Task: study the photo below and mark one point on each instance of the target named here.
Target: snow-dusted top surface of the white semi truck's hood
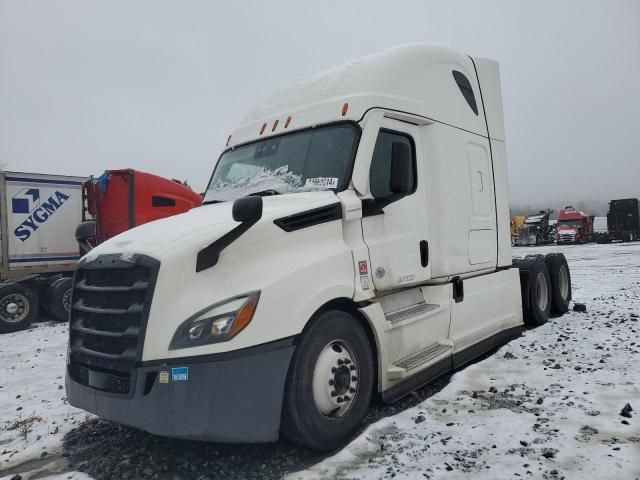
(199, 227)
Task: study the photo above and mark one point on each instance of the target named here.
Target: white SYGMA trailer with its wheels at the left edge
(38, 251)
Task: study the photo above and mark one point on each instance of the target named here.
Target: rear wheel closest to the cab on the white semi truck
(536, 290)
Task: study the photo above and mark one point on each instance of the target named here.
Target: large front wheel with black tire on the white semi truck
(330, 383)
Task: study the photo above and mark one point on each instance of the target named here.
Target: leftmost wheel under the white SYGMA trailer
(18, 307)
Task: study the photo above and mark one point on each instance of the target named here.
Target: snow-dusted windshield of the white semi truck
(310, 160)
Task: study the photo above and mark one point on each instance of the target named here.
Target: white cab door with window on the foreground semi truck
(394, 228)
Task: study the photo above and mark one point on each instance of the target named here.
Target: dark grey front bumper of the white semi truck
(231, 397)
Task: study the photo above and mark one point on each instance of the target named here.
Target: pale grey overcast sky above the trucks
(155, 85)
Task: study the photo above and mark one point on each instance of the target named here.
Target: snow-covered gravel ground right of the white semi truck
(544, 406)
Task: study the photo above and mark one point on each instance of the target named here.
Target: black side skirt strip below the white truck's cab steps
(449, 364)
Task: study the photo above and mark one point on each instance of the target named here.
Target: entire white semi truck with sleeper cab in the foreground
(354, 242)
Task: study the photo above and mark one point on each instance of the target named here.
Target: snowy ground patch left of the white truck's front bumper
(34, 413)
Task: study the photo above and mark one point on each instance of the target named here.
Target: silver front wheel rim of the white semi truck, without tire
(335, 379)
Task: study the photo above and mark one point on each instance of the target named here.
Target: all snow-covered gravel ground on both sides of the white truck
(547, 405)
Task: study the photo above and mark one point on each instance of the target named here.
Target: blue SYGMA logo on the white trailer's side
(28, 201)
